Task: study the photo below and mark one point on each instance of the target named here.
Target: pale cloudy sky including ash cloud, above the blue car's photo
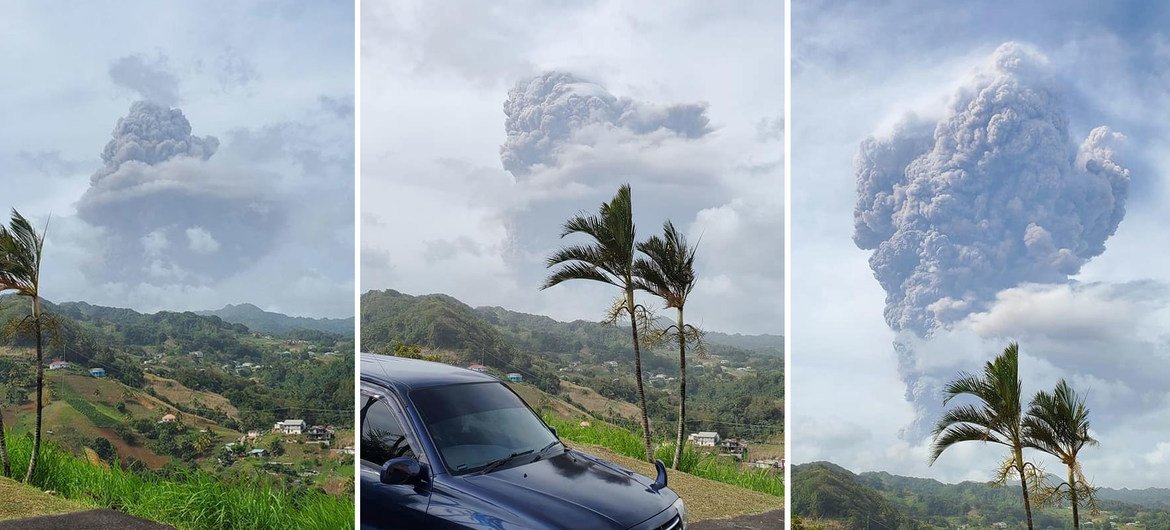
(485, 127)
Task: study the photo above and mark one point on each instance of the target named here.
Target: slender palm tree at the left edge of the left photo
(20, 272)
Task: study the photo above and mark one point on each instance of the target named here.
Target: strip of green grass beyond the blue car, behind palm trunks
(630, 444)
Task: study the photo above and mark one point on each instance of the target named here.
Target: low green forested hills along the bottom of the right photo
(827, 492)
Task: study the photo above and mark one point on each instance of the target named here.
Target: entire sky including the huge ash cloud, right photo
(966, 177)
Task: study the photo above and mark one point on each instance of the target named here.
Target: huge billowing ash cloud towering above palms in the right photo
(993, 196)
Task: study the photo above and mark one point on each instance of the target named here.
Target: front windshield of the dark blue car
(476, 425)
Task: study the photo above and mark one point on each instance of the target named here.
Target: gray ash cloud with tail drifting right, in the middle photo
(545, 114)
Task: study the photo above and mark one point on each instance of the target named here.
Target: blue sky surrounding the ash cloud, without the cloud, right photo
(858, 71)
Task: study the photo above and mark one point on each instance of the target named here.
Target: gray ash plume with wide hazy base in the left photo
(170, 212)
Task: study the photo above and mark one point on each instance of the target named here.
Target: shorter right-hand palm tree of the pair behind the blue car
(670, 274)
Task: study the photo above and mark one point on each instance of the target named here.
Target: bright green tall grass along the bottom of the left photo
(190, 501)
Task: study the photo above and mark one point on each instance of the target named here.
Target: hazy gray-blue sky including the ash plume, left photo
(185, 156)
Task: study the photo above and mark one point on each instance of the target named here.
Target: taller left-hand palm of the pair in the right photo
(996, 419)
